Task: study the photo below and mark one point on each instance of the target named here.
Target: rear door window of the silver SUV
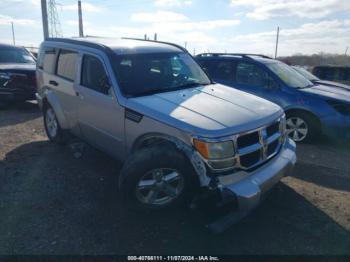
(66, 64)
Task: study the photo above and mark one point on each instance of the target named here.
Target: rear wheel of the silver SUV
(52, 127)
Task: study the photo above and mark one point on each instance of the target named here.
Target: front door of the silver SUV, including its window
(101, 118)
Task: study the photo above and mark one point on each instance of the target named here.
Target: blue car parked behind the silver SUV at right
(311, 109)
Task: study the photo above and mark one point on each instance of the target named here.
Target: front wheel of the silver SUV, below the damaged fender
(162, 166)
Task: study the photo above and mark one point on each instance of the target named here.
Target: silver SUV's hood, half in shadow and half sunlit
(211, 111)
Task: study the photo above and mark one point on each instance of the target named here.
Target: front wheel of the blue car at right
(302, 127)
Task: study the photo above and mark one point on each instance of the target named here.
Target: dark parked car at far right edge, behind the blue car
(339, 74)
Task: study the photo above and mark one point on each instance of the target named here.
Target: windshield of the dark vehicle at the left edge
(16, 55)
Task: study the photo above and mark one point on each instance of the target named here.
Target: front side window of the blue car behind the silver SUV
(252, 75)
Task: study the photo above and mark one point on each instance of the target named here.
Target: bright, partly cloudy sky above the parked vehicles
(307, 26)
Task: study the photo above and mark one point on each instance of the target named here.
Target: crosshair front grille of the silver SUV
(257, 146)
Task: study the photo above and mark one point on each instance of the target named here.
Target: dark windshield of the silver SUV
(145, 74)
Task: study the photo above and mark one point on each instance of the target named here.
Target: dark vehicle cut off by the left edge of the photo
(17, 74)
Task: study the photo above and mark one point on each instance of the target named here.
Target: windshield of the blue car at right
(288, 75)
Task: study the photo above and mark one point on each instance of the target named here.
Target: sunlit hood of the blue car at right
(334, 92)
